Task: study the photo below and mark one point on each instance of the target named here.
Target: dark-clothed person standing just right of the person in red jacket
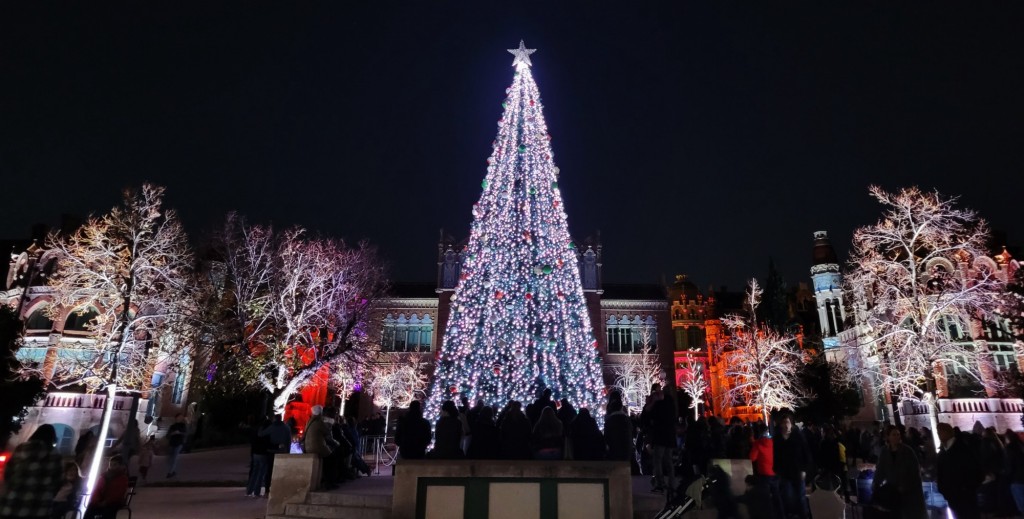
(791, 464)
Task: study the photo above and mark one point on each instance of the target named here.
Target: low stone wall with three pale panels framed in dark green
(482, 489)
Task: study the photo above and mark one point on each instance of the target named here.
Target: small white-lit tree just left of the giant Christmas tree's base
(396, 381)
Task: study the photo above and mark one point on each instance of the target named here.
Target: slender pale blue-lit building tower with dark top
(828, 290)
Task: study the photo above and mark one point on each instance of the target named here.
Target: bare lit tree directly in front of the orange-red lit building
(760, 363)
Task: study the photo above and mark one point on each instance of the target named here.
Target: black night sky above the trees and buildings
(699, 139)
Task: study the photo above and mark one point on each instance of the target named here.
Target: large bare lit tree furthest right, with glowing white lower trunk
(915, 276)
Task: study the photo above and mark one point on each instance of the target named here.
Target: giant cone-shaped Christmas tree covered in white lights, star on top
(519, 321)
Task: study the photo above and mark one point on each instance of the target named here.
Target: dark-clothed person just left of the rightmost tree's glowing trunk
(898, 487)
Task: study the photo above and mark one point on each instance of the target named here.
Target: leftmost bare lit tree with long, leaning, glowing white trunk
(133, 268)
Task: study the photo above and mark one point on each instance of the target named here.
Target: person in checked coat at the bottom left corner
(32, 477)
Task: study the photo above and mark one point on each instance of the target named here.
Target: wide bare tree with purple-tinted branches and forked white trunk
(298, 304)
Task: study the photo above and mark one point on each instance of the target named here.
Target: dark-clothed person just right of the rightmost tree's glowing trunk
(959, 474)
